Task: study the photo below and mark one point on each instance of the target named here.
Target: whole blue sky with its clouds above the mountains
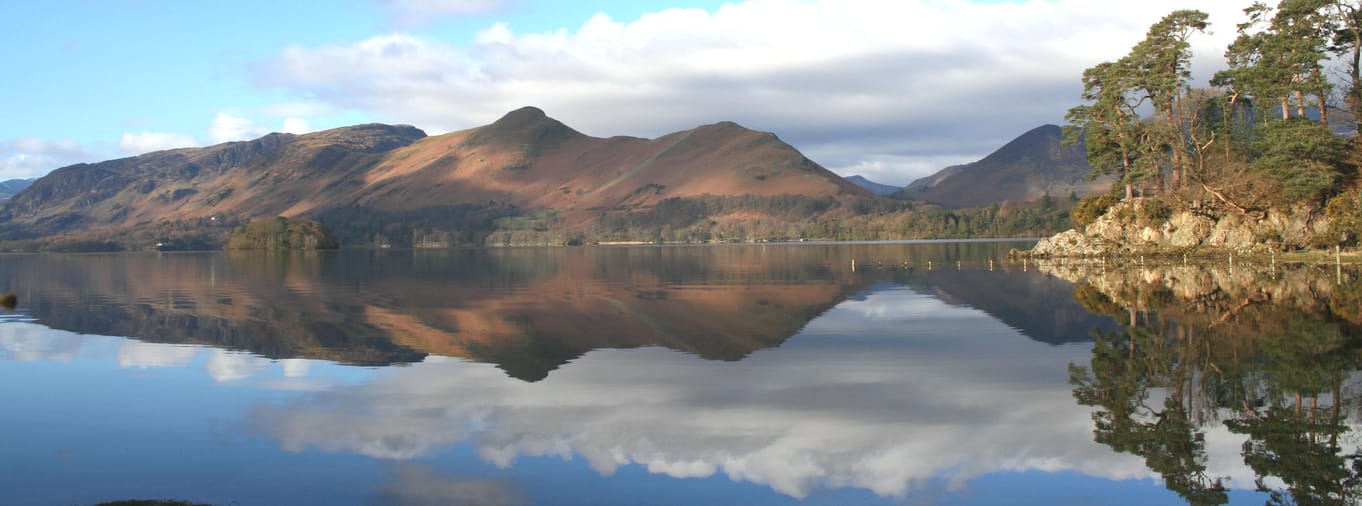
(889, 89)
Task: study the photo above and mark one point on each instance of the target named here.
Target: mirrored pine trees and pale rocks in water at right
(1270, 356)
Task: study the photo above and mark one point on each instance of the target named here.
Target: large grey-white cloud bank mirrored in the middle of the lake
(868, 410)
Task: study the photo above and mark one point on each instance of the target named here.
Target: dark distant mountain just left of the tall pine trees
(1025, 169)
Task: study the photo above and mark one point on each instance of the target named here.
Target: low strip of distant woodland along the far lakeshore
(713, 220)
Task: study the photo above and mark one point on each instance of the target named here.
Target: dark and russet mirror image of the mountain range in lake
(526, 311)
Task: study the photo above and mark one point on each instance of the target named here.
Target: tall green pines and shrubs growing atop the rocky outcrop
(1261, 144)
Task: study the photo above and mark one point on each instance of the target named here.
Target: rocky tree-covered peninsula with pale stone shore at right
(1263, 163)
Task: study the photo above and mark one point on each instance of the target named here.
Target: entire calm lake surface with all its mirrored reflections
(932, 373)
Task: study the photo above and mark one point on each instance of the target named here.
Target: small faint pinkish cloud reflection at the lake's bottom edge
(420, 486)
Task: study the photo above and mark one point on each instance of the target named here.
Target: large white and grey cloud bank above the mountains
(910, 81)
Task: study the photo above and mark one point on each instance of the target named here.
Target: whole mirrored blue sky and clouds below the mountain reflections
(894, 395)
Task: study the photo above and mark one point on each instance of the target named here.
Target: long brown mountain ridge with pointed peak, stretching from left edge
(396, 184)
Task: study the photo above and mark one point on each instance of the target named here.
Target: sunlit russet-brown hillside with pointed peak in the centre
(536, 163)
